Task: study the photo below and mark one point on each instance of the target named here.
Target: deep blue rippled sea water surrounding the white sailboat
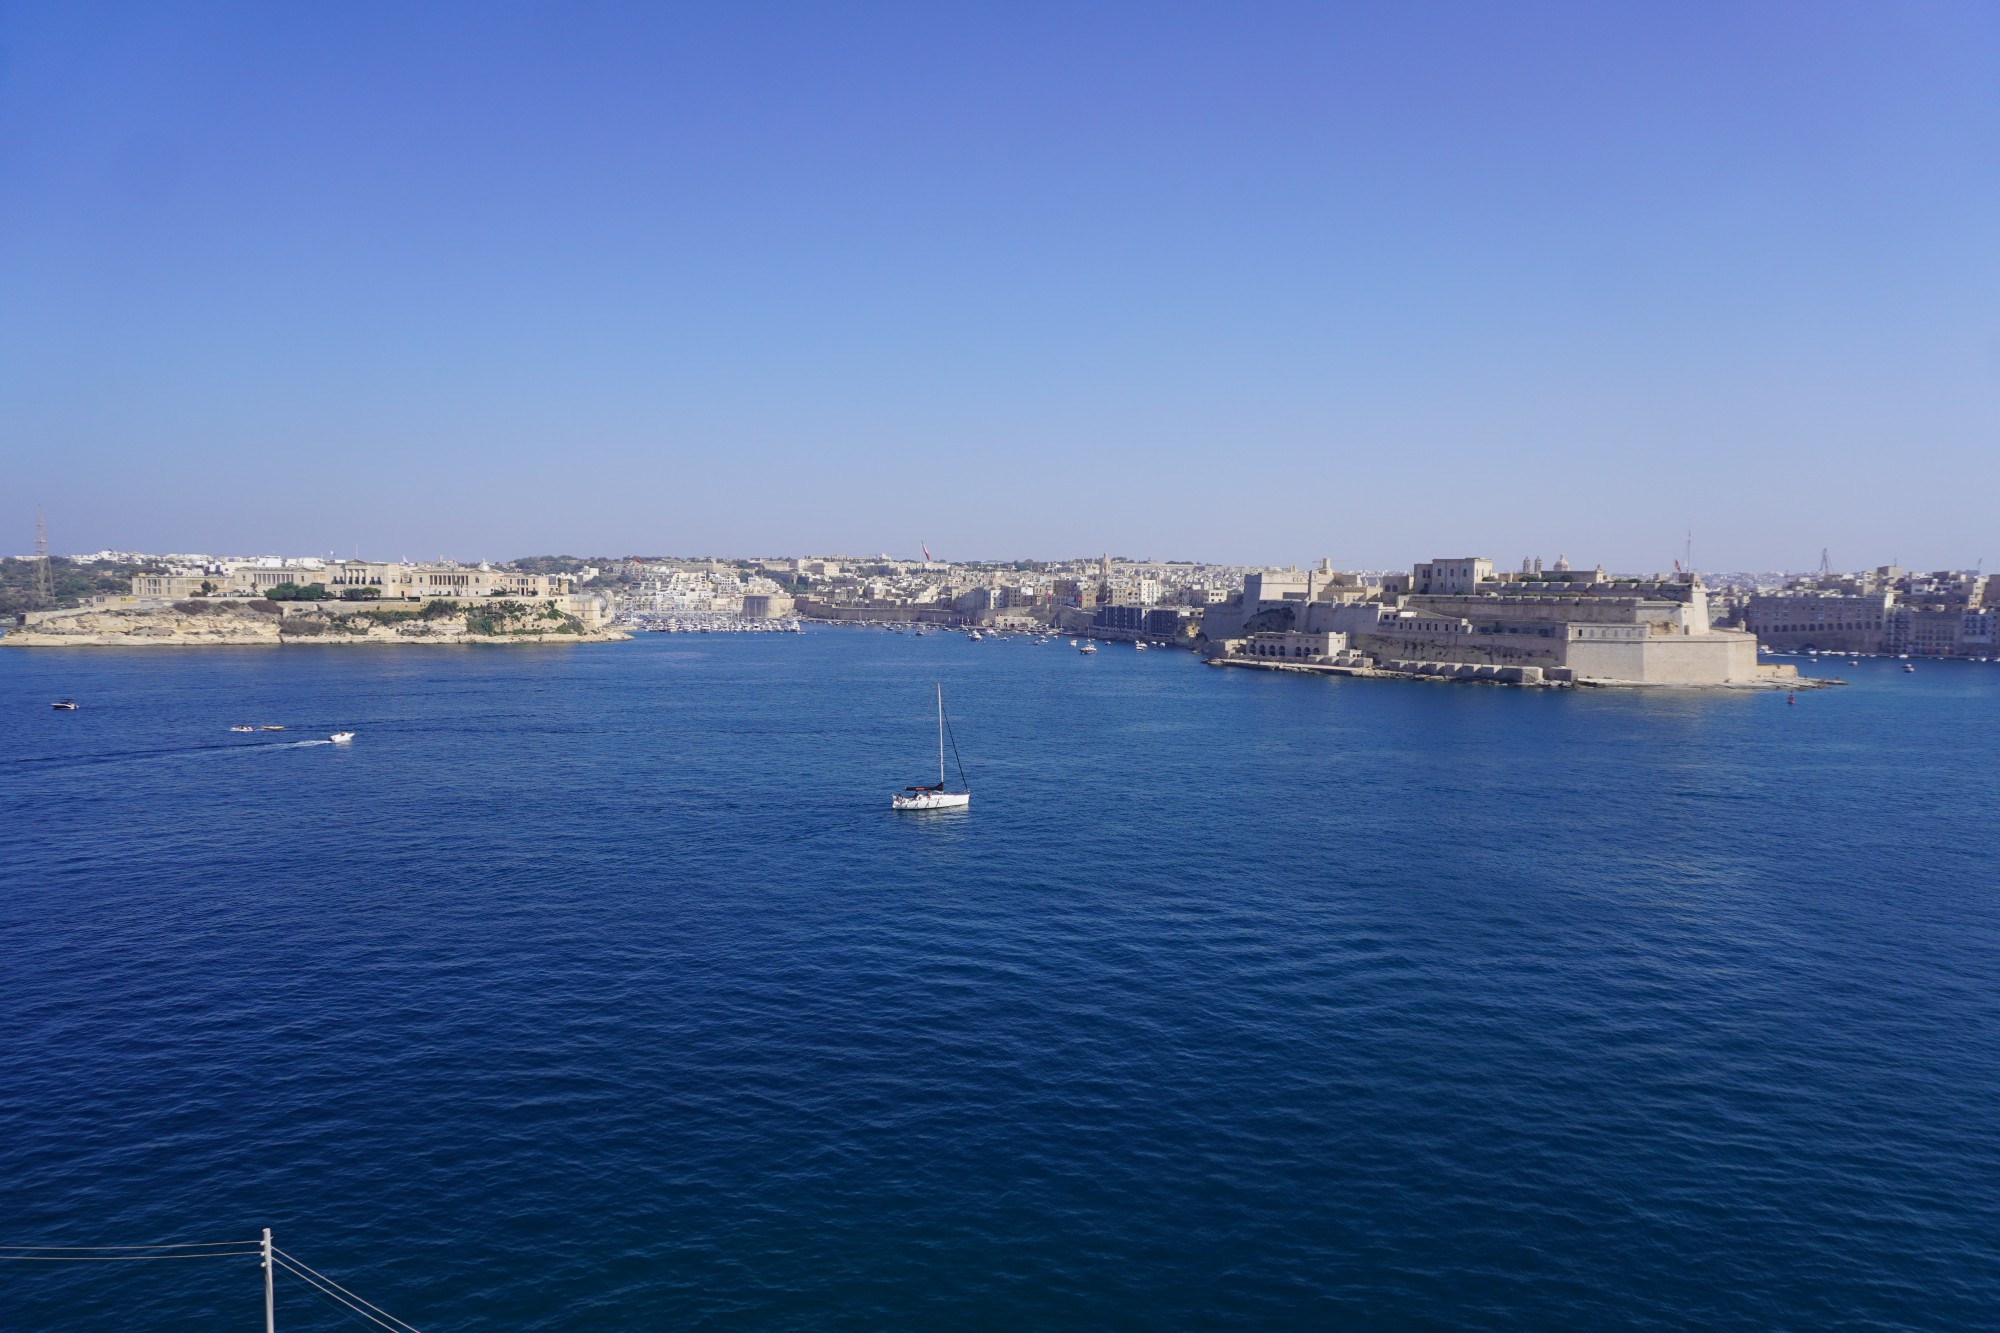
(599, 988)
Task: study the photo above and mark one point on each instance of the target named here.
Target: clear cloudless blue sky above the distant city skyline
(1217, 281)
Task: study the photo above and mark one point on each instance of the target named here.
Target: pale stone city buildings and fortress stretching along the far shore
(1459, 617)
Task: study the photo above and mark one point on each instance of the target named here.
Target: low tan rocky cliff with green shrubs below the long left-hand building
(255, 623)
